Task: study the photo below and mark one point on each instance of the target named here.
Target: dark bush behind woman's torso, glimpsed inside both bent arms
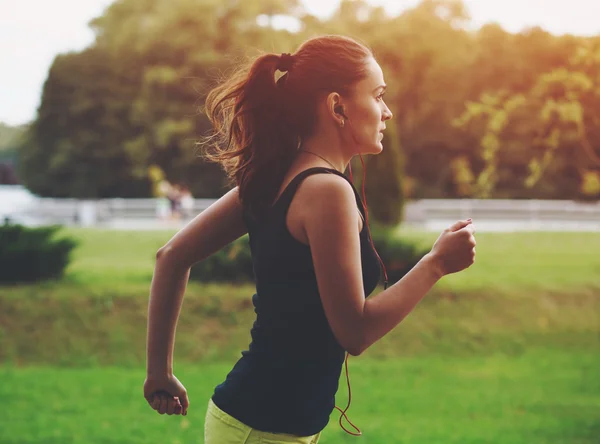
(234, 263)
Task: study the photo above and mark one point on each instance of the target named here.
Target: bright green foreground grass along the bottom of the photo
(541, 397)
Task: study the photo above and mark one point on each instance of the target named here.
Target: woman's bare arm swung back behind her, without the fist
(210, 231)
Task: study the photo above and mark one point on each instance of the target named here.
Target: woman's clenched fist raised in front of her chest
(454, 250)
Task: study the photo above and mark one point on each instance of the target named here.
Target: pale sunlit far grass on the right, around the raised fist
(526, 261)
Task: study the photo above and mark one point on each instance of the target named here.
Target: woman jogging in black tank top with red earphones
(285, 142)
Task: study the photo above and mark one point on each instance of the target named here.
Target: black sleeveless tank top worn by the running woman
(287, 379)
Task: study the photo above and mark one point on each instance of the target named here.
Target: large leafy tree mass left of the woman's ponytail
(131, 99)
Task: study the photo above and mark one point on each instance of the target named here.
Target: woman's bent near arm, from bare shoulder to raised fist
(331, 227)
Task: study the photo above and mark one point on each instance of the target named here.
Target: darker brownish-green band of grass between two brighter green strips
(45, 328)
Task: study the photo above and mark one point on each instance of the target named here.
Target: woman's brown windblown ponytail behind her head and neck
(252, 138)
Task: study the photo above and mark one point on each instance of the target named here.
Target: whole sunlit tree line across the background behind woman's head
(477, 114)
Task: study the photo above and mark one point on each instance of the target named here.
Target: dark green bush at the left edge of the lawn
(32, 254)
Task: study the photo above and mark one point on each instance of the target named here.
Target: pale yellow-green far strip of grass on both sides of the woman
(507, 261)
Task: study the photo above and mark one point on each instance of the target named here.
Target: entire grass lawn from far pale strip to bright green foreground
(507, 352)
